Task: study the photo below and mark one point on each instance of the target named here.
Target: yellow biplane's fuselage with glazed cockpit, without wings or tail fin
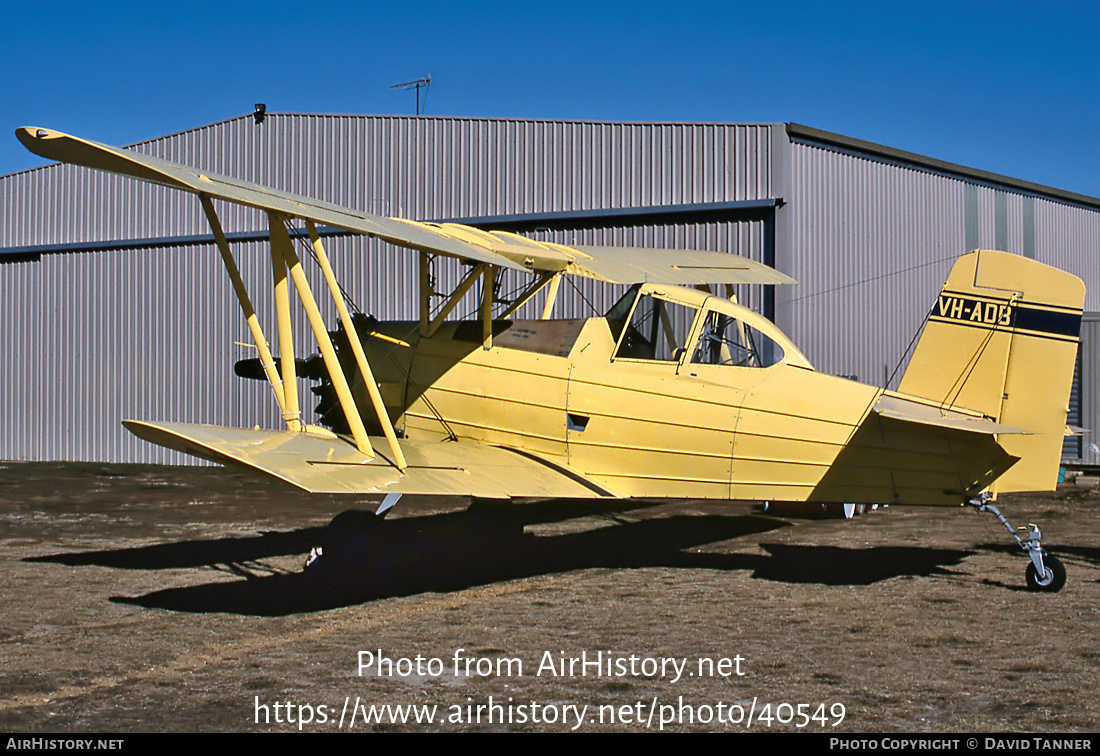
(663, 404)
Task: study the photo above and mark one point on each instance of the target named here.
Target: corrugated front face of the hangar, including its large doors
(146, 326)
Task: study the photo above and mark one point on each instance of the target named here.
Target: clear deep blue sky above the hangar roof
(1008, 87)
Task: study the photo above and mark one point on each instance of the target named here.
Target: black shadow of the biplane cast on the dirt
(457, 551)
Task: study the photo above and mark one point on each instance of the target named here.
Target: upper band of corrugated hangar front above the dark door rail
(422, 168)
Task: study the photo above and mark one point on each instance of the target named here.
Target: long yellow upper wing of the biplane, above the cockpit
(621, 266)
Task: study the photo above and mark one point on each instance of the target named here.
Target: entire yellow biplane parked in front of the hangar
(675, 393)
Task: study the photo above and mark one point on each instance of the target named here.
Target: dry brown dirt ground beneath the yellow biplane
(144, 599)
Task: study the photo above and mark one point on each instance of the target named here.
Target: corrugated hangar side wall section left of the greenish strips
(868, 256)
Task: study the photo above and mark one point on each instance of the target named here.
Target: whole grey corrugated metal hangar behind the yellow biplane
(115, 304)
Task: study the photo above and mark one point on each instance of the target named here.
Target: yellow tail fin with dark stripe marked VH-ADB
(1003, 341)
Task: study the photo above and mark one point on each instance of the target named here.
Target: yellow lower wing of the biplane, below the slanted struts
(320, 462)
